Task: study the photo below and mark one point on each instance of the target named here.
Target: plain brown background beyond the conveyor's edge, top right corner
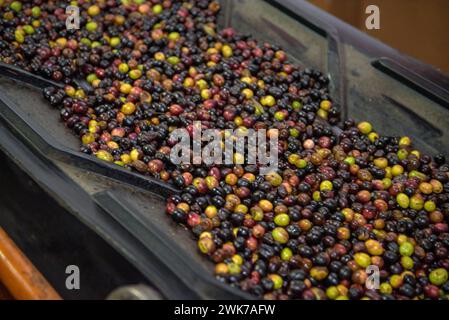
(419, 28)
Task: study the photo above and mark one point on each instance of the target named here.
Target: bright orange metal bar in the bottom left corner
(19, 275)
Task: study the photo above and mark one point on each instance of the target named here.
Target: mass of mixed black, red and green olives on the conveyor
(337, 202)
